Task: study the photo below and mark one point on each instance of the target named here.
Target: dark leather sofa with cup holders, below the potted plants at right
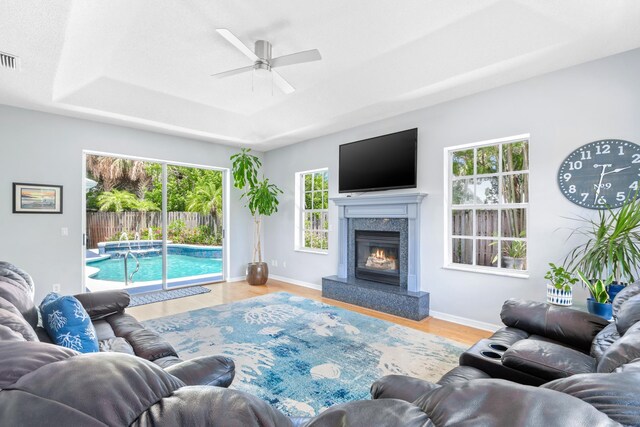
(543, 342)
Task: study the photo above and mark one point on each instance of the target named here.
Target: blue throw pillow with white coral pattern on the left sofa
(68, 324)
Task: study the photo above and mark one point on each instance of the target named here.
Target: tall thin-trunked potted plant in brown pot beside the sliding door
(262, 200)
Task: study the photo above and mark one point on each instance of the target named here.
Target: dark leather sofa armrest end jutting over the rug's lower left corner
(206, 370)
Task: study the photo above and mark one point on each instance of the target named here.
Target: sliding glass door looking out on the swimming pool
(151, 225)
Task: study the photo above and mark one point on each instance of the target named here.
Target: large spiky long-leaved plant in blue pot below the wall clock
(612, 245)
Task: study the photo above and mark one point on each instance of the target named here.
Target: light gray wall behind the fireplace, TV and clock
(562, 111)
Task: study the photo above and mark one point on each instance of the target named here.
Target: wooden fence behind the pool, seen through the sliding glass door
(101, 226)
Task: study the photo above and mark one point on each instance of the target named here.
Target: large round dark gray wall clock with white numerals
(601, 174)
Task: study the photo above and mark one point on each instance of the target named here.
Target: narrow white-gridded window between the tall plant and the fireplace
(312, 231)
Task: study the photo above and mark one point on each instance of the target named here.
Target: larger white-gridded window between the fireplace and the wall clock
(488, 211)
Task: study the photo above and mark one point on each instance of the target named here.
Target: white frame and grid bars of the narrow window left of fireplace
(300, 191)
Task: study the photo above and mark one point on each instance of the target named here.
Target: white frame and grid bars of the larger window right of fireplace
(449, 208)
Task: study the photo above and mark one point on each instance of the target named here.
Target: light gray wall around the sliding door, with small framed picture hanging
(47, 149)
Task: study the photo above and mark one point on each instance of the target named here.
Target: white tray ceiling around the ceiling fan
(147, 63)
